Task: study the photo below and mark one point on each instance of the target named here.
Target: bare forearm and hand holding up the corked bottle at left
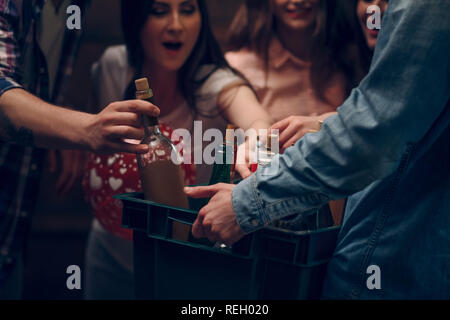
(27, 120)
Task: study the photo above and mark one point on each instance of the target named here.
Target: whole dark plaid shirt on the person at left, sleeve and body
(23, 65)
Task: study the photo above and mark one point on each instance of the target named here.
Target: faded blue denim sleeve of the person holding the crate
(404, 93)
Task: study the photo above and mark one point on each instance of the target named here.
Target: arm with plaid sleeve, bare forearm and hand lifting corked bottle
(28, 120)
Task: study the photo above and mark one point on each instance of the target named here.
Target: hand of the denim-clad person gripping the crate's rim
(217, 220)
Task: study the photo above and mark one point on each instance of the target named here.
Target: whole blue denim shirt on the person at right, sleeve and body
(389, 150)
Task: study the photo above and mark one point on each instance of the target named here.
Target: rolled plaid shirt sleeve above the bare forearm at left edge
(9, 45)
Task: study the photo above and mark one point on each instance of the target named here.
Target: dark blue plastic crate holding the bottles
(271, 263)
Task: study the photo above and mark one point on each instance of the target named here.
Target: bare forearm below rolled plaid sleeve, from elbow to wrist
(27, 120)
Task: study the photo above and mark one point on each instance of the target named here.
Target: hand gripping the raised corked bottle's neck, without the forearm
(107, 130)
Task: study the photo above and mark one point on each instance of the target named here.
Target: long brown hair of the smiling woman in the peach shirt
(255, 25)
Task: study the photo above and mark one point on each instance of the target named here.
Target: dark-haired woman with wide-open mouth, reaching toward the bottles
(169, 42)
